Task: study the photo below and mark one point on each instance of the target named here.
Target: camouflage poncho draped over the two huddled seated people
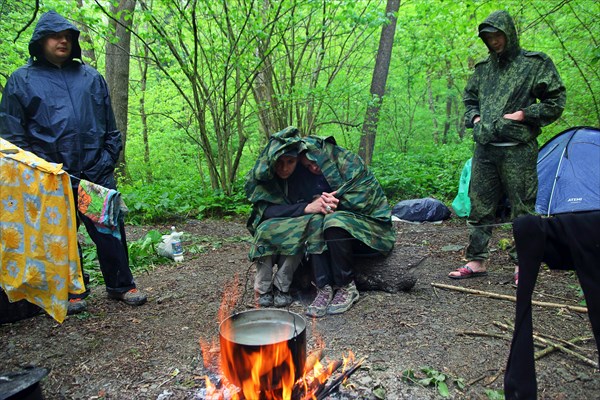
(363, 209)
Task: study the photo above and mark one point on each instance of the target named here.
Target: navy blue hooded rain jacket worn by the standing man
(62, 114)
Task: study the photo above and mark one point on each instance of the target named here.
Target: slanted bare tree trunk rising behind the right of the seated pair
(380, 73)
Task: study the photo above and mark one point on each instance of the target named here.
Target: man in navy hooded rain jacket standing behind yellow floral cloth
(59, 108)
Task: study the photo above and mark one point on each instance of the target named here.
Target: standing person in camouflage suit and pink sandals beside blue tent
(510, 96)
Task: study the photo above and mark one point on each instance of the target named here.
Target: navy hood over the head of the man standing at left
(49, 23)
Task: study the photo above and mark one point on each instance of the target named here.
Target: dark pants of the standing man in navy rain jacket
(112, 256)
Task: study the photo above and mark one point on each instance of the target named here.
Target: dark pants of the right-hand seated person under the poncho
(334, 266)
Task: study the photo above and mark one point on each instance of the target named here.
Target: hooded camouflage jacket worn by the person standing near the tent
(508, 82)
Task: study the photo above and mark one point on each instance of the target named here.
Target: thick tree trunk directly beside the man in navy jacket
(117, 70)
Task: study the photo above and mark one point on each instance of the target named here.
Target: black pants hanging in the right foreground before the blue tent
(566, 241)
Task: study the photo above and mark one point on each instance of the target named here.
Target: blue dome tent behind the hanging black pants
(569, 172)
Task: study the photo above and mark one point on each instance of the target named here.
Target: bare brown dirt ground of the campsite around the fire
(153, 352)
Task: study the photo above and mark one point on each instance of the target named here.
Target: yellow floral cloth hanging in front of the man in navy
(39, 260)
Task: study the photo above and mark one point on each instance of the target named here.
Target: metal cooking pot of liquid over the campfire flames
(248, 333)
